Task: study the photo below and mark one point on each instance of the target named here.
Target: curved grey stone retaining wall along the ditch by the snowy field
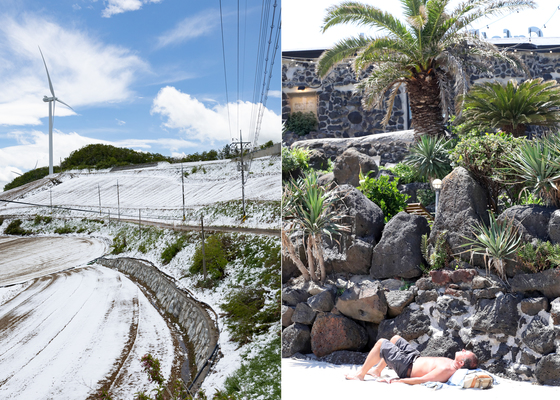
(192, 315)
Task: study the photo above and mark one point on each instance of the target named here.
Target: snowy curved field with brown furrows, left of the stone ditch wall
(66, 335)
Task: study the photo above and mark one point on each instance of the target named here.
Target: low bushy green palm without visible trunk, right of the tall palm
(512, 106)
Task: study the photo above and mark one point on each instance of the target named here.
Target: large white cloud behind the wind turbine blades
(83, 71)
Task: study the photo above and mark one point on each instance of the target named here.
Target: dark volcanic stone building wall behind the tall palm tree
(339, 108)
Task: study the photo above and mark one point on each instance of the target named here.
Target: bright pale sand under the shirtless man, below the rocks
(303, 379)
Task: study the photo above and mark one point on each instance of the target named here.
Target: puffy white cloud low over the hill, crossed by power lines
(210, 123)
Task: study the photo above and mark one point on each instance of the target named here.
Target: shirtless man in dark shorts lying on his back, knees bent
(405, 360)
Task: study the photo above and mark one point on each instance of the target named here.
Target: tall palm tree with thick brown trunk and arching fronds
(425, 54)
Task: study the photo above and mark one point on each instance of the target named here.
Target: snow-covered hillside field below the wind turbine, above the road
(157, 193)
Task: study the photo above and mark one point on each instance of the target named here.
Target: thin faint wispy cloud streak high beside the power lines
(190, 28)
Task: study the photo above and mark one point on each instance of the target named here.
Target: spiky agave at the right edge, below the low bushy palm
(536, 164)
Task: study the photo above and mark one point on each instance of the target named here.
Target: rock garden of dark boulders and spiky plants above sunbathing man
(481, 273)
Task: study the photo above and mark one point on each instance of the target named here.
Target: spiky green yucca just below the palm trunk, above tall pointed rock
(430, 157)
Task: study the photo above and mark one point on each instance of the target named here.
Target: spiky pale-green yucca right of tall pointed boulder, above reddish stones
(497, 242)
